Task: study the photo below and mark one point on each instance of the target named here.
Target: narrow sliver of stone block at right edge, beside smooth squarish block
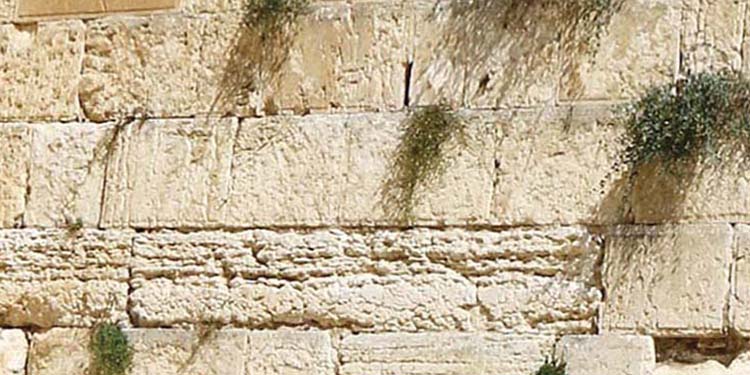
(740, 301)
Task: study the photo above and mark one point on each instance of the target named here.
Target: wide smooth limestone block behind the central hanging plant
(329, 170)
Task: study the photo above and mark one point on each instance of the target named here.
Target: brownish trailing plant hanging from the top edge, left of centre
(259, 50)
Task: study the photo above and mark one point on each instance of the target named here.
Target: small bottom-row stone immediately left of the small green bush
(59, 351)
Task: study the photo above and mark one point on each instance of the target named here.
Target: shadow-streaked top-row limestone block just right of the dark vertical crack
(471, 55)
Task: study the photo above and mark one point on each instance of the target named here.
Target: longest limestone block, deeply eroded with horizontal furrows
(383, 281)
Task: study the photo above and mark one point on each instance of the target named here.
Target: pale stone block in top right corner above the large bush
(712, 33)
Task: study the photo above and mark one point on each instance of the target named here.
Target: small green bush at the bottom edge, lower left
(111, 351)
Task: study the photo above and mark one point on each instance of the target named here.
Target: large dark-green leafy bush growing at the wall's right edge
(691, 119)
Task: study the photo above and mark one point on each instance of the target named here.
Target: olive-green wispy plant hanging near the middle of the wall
(429, 136)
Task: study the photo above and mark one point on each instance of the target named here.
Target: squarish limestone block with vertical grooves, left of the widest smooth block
(169, 173)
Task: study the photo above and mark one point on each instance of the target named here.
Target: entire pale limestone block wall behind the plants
(255, 241)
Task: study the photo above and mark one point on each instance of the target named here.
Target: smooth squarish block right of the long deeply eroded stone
(669, 280)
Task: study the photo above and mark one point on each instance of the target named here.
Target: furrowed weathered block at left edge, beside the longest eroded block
(54, 278)
